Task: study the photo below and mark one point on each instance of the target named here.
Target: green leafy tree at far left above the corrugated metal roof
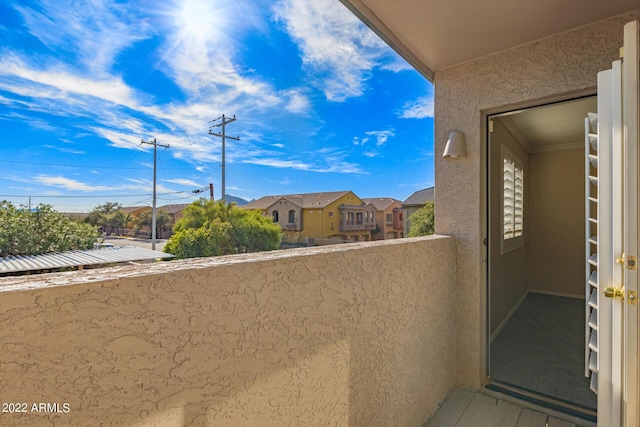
(25, 232)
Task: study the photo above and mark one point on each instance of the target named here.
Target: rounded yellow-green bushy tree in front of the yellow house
(215, 228)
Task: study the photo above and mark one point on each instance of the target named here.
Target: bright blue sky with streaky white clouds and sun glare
(322, 104)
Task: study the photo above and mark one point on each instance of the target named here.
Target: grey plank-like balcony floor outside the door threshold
(468, 408)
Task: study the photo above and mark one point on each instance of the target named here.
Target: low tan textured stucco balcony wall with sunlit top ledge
(351, 335)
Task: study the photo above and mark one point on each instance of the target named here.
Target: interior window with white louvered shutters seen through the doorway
(512, 201)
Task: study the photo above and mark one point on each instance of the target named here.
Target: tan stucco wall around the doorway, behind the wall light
(548, 69)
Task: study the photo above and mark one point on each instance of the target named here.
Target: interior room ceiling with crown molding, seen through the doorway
(550, 127)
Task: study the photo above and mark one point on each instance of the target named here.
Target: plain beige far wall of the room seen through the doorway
(556, 222)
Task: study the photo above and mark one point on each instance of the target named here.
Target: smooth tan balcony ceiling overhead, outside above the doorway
(436, 34)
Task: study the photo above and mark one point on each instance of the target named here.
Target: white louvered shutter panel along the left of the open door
(604, 245)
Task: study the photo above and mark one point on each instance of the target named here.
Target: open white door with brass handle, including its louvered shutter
(611, 354)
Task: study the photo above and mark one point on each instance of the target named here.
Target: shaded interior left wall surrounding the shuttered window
(508, 272)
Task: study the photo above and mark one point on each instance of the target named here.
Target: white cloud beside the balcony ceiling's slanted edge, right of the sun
(335, 45)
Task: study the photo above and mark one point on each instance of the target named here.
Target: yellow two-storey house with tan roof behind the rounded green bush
(330, 215)
